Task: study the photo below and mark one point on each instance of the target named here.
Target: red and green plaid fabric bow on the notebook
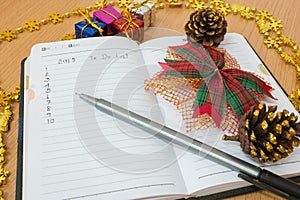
(220, 86)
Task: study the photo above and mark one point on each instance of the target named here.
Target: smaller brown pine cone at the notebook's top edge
(206, 27)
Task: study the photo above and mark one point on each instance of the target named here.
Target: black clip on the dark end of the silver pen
(265, 186)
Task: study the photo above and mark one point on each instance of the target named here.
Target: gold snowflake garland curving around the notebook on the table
(267, 25)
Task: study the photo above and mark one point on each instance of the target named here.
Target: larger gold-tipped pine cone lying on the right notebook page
(267, 135)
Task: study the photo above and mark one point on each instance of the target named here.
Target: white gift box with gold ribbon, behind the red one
(143, 10)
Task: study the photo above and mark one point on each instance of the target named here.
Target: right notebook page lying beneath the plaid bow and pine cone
(201, 175)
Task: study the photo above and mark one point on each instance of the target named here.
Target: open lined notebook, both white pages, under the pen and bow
(73, 151)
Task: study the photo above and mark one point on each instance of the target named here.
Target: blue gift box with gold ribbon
(90, 28)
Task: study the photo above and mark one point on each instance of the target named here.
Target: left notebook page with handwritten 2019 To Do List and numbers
(76, 152)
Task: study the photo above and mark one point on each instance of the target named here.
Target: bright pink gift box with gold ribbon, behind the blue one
(107, 15)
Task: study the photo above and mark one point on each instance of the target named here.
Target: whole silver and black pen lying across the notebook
(261, 178)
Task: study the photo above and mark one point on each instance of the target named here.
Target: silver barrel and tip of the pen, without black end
(163, 132)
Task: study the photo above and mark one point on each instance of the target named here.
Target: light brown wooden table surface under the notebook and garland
(14, 14)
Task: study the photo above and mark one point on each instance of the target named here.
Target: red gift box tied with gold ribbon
(130, 27)
